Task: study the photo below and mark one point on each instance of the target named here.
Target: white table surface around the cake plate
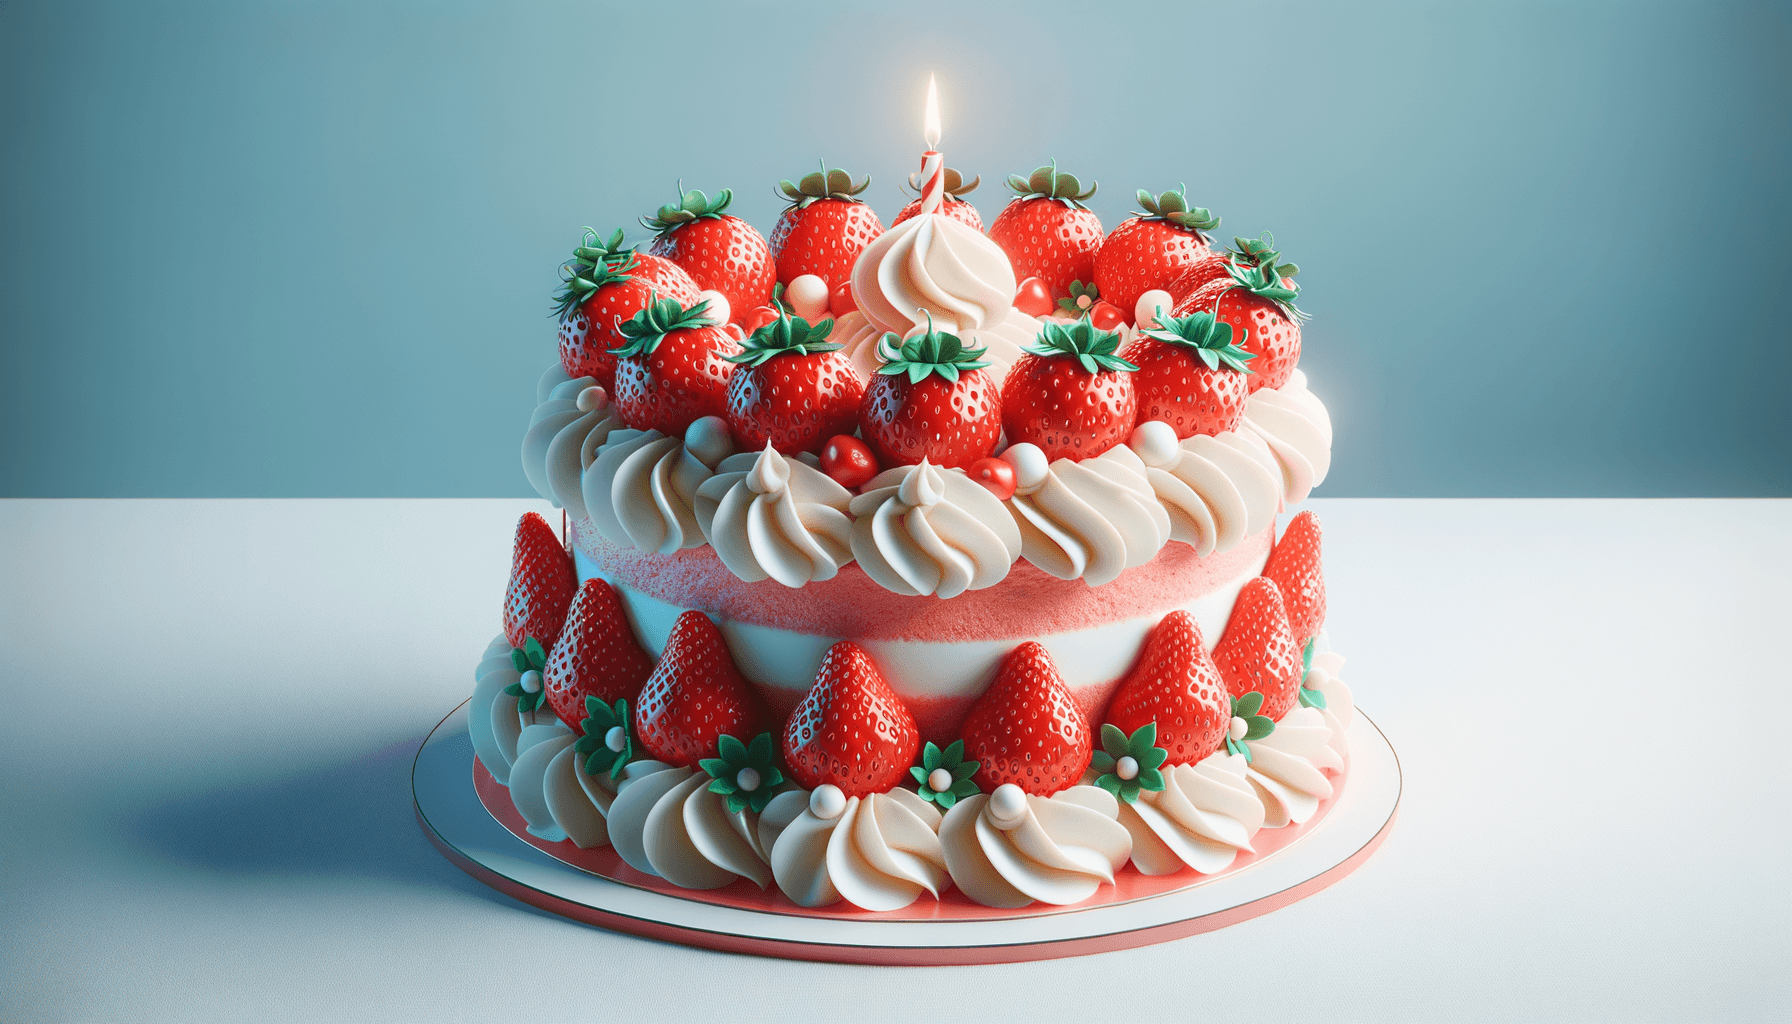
(214, 704)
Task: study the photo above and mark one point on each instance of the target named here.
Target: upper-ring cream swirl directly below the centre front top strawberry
(922, 530)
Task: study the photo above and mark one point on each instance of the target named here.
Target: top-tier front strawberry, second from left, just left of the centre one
(793, 390)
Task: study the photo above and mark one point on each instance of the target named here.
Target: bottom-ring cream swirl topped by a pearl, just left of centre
(879, 853)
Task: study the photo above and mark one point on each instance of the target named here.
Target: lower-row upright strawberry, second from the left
(596, 655)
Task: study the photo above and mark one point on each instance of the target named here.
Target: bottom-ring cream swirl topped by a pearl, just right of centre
(1013, 849)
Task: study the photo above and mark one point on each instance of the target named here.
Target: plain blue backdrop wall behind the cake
(307, 248)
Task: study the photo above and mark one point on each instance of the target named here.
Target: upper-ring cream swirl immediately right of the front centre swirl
(1092, 519)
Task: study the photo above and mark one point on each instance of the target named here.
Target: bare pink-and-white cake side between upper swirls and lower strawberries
(940, 655)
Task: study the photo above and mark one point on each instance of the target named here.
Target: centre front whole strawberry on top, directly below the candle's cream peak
(931, 401)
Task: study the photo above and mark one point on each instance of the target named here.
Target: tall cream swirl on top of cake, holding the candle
(936, 265)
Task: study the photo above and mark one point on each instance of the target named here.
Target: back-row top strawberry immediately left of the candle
(825, 229)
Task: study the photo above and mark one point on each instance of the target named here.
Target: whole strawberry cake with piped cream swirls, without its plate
(922, 564)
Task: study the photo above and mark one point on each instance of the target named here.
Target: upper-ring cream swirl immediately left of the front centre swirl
(775, 517)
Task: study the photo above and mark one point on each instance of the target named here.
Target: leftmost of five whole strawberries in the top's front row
(675, 369)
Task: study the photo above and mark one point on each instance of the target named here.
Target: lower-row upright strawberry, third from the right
(1176, 686)
